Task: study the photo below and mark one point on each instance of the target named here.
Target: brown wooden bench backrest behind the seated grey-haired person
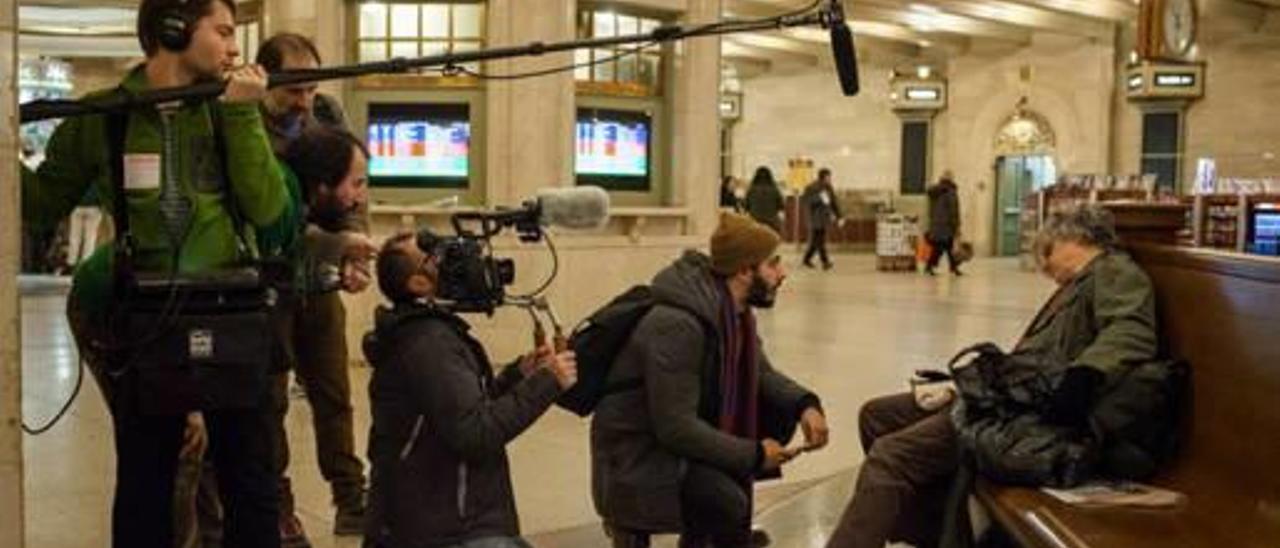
(1222, 313)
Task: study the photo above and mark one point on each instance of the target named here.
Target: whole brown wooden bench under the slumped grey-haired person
(1222, 313)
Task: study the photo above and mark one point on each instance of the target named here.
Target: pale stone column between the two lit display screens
(531, 129)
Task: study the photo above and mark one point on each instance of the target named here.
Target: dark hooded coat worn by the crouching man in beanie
(643, 440)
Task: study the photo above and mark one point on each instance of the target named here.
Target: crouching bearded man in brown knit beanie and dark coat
(700, 413)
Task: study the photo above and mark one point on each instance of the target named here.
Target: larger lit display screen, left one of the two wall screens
(419, 145)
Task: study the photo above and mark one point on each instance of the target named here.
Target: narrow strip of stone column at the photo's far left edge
(11, 222)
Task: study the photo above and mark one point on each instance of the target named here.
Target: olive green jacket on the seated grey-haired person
(1104, 319)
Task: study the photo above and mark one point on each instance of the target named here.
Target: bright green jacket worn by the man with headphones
(77, 161)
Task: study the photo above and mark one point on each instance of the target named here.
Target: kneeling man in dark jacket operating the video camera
(441, 418)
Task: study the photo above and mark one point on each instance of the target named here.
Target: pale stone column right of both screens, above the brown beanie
(696, 118)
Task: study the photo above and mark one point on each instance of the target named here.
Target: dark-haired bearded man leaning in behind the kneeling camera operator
(332, 173)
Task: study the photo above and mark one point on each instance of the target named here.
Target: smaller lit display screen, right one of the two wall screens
(614, 149)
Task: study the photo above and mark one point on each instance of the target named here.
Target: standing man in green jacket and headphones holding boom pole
(184, 195)
